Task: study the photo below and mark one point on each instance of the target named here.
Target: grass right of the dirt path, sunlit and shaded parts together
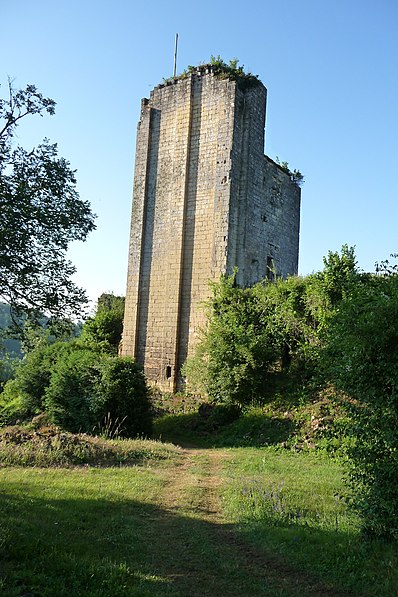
(290, 504)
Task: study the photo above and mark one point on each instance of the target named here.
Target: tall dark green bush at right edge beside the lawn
(361, 359)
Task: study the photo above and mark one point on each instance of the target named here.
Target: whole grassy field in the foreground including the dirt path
(155, 519)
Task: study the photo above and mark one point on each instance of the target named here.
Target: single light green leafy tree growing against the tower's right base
(232, 360)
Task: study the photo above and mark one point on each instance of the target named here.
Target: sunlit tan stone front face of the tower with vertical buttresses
(179, 221)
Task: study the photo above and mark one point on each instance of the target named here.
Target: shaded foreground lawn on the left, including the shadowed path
(125, 548)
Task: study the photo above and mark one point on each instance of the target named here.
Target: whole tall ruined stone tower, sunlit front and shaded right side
(205, 200)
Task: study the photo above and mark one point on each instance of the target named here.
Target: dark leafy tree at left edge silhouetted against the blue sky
(41, 214)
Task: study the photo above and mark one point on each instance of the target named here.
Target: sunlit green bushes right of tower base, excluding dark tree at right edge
(252, 332)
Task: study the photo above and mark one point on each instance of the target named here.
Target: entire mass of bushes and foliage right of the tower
(334, 334)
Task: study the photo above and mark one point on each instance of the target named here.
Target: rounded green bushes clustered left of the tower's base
(81, 388)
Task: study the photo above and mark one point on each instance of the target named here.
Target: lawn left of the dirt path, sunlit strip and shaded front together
(108, 532)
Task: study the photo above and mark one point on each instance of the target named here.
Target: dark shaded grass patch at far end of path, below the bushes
(250, 430)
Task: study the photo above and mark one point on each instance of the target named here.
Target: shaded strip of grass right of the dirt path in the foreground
(344, 559)
